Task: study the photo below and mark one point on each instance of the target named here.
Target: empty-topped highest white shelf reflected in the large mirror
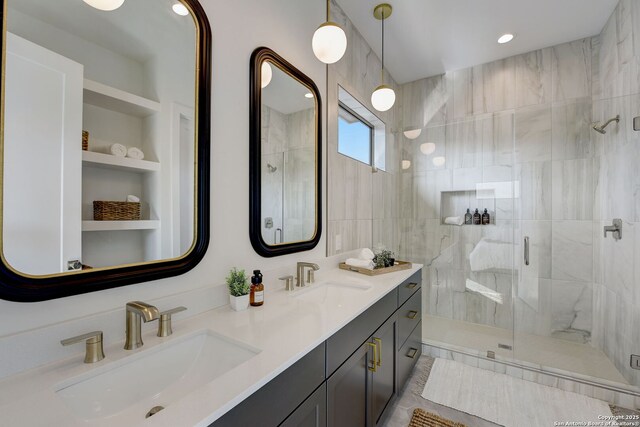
(113, 99)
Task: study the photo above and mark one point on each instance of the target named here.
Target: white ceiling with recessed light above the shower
(428, 37)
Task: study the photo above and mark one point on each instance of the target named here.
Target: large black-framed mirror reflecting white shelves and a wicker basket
(105, 142)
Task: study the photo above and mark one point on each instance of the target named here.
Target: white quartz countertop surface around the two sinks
(284, 329)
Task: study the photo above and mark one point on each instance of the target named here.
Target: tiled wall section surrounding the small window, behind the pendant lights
(363, 206)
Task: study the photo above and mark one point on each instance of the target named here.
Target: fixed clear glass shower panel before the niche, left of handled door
(469, 268)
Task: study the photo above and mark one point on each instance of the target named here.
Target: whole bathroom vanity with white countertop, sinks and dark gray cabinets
(336, 352)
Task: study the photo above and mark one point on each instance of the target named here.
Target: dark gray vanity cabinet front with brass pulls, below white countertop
(352, 378)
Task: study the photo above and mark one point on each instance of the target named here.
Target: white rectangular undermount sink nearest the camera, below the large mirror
(156, 377)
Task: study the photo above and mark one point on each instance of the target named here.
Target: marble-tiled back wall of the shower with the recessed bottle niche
(525, 122)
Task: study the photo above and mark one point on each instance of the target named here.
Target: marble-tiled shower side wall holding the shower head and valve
(616, 156)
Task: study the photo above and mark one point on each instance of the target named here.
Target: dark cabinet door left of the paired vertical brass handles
(348, 391)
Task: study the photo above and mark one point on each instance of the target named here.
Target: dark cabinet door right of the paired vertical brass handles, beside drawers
(383, 388)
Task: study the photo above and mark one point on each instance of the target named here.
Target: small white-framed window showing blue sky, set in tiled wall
(361, 135)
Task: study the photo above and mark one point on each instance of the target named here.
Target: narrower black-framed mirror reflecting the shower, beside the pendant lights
(285, 157)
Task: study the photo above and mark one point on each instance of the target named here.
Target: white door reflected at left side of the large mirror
(41, 217)
